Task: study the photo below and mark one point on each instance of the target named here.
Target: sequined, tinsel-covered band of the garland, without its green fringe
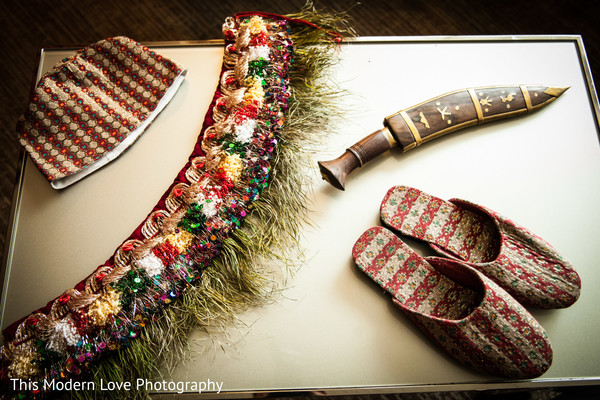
(185, 232)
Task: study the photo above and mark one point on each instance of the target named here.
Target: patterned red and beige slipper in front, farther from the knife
(465, 313)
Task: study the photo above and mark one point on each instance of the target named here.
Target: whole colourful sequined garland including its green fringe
(193, 260)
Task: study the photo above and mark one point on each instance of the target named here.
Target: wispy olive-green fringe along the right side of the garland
(238, 279)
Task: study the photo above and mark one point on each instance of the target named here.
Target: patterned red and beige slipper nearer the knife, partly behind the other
(522, 263)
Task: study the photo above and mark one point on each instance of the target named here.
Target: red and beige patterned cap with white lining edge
(92, 106)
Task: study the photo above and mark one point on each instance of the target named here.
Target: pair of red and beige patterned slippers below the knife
(470, 301)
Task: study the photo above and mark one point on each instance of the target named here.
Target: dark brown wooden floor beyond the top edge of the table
(27, 26)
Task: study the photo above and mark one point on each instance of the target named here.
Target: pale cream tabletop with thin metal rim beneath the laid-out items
(333, 330)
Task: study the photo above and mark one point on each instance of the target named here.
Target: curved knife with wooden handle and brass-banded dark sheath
(447, 113)
